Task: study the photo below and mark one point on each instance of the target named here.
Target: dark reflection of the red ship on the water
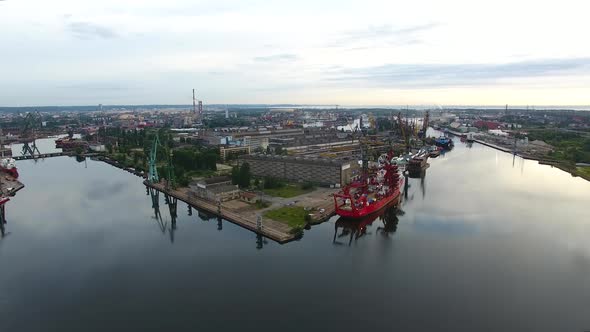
(357, 228)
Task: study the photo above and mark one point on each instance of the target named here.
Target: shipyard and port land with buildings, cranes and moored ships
(287, 170)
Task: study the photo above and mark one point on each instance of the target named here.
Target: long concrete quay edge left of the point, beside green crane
(271, 229)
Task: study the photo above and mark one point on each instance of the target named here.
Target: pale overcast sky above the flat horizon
(369, 52)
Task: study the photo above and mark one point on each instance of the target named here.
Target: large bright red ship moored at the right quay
(377, 187)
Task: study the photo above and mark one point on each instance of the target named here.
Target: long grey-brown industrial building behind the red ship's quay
(322, 171)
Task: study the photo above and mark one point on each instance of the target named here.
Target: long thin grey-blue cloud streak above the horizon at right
(444, 75)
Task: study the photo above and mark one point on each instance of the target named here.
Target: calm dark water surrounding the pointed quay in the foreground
(484, 242)
